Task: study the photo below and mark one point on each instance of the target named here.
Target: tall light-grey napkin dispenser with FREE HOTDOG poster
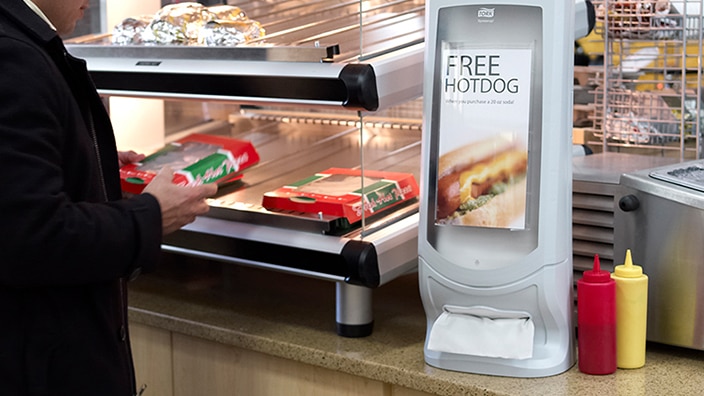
(495, 240)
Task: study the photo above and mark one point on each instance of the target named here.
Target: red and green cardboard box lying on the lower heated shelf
(338, 192)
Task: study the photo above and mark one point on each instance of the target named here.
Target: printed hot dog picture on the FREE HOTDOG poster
(483, 184)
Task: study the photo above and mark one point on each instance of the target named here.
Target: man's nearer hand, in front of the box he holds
(179, 204)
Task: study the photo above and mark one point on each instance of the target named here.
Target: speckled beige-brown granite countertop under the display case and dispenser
(294, 318)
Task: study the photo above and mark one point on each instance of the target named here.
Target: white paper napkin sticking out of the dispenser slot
(483, 331)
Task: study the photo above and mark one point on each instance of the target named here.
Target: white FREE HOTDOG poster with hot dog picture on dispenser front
(484, 98)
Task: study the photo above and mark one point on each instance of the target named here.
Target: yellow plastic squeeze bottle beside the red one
(631, 313)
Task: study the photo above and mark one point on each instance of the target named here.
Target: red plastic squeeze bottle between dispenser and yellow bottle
(596, 321)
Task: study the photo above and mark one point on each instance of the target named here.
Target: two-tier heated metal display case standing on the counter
(332, 84)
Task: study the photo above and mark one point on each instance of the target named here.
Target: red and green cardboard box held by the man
(195, 159)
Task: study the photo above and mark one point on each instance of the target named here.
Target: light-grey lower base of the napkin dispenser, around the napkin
(545, 296)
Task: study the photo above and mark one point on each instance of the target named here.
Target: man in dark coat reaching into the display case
(68, 240)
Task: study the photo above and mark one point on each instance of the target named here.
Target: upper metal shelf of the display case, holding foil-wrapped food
(323, 53)
